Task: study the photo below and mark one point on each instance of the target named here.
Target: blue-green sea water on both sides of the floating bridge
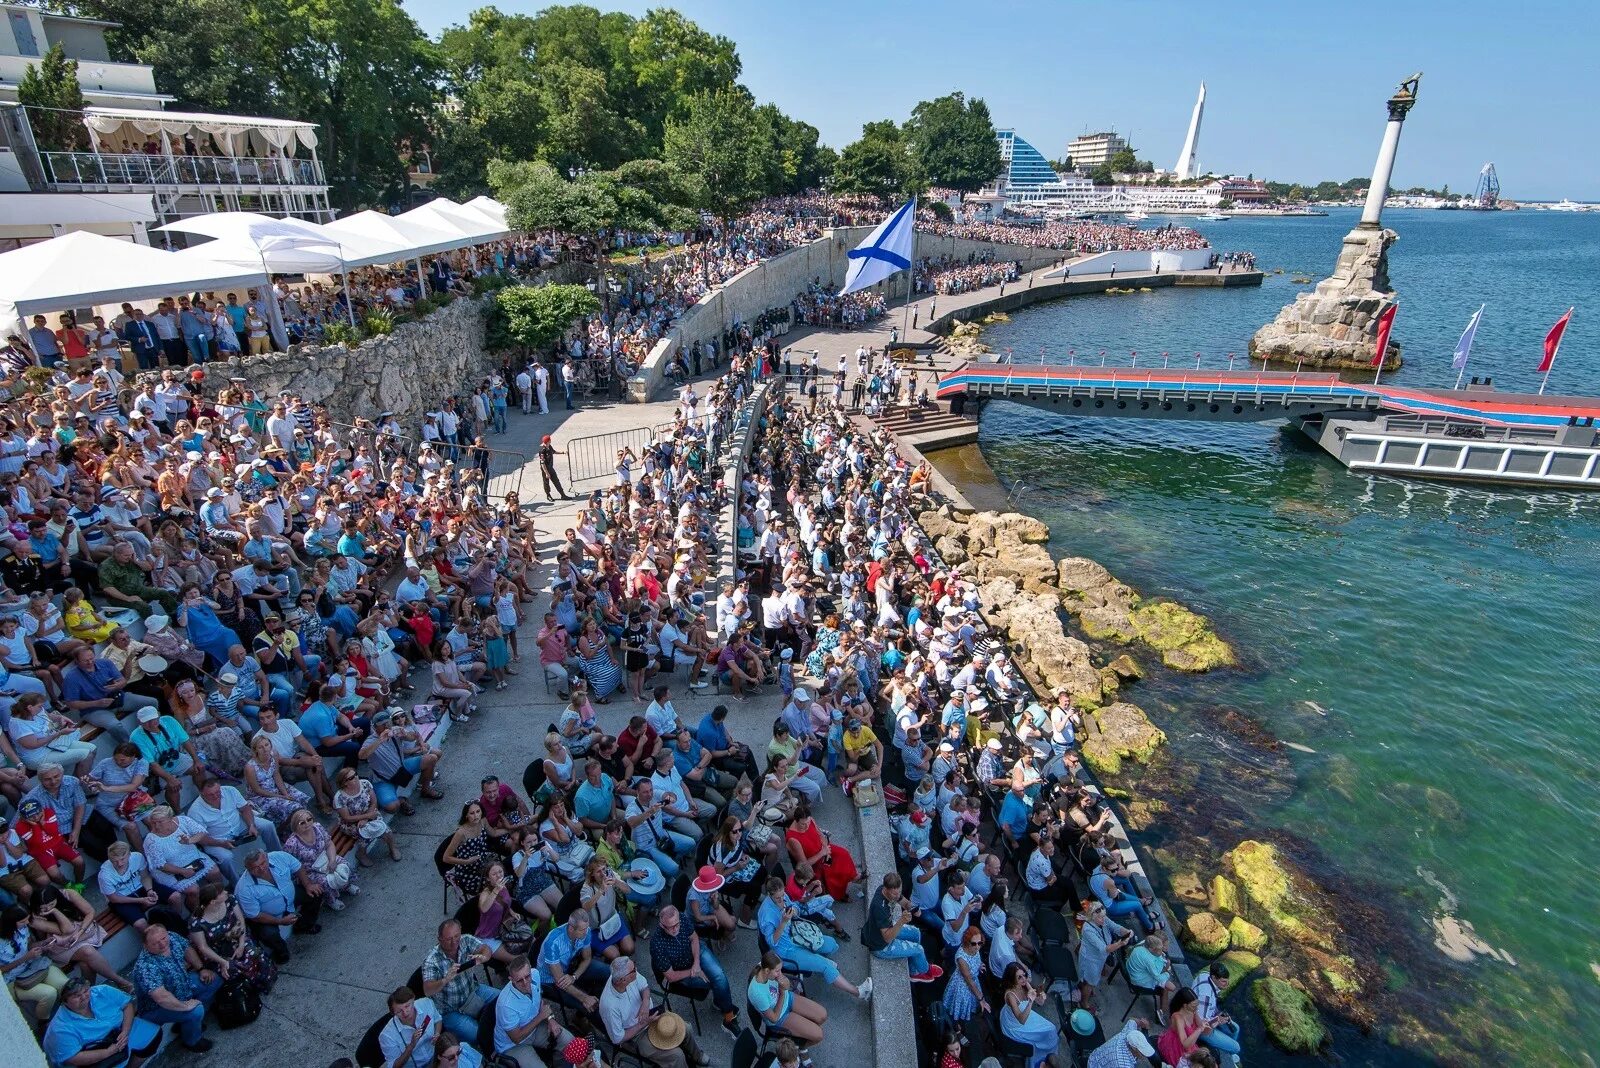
(1434, 647)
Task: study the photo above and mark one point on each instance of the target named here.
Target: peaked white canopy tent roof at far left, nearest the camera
(84, 269)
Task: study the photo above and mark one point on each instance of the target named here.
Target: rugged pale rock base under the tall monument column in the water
(1335, 327)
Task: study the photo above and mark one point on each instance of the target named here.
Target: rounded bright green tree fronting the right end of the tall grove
(724, 146)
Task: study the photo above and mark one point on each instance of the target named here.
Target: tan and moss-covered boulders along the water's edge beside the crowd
(1254, 909)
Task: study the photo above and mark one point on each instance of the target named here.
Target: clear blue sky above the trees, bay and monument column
(1295, 92)
